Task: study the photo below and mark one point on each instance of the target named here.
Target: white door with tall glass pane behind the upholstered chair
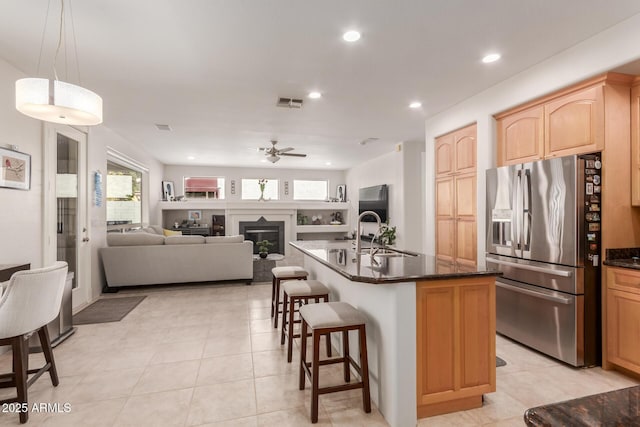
(66, 229)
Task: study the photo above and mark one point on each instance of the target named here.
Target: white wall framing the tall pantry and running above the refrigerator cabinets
(610, 49)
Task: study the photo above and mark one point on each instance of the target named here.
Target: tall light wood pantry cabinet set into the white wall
(456, 196)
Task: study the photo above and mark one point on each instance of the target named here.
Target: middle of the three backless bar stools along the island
(299, 291)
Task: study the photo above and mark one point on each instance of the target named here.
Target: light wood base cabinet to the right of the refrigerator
(622, 319)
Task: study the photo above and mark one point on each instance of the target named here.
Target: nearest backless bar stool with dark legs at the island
(323, 319)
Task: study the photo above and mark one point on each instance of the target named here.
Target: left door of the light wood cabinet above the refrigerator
(520, 136)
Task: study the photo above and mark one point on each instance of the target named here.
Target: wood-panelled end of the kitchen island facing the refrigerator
(455, 345)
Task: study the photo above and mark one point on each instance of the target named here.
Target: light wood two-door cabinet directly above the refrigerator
(570, 121)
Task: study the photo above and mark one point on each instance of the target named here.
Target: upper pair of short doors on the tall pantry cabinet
(456, 152)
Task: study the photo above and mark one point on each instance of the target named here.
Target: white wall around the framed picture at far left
(20, 211)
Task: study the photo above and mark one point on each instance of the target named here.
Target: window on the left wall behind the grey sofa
(124, 196)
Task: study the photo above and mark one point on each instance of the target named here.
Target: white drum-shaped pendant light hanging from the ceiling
(57, 101)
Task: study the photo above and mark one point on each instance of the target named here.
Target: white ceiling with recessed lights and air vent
(214, 69)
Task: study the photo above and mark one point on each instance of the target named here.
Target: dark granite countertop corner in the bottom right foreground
(613, 408)
